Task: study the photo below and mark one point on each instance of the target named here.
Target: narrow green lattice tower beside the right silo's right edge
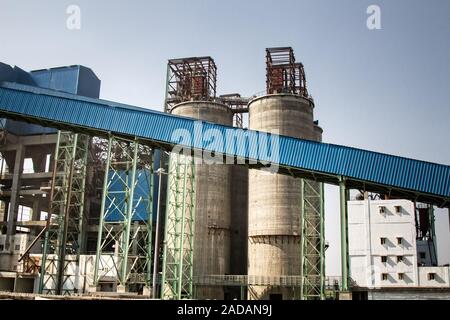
(313, 240)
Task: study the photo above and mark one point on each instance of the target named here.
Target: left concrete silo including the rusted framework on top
(191, 92)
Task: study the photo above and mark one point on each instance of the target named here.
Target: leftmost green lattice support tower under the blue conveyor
(64, 236)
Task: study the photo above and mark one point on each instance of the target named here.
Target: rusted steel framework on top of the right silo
(283, 74)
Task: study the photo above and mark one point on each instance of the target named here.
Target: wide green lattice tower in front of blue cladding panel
(124, 244)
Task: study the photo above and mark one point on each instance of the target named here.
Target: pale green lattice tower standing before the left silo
(177, 269)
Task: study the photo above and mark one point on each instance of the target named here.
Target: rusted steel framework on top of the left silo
(190, 79)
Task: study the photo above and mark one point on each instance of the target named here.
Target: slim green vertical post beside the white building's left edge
(344, 235)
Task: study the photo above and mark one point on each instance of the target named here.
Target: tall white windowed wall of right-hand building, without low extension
(366, 228)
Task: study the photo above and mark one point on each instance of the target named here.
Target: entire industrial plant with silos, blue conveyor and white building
(95, 199)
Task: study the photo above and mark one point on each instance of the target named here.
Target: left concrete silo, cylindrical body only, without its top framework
(213, 198)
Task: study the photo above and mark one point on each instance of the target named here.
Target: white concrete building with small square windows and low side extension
(383, 249)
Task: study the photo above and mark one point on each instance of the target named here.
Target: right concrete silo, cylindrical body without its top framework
(274, 227)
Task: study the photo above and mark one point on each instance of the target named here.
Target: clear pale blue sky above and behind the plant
(386, 90)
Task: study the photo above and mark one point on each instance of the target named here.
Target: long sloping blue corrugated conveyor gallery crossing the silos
(327, 159)
